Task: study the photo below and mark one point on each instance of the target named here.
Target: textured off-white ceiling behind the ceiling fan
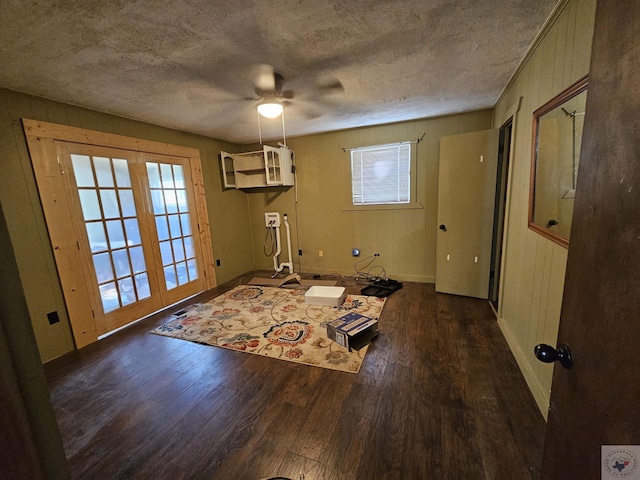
(191, 64)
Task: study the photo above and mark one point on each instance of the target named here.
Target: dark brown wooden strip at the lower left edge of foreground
(30, 443)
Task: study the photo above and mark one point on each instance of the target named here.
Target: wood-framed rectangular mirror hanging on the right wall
(557, 136)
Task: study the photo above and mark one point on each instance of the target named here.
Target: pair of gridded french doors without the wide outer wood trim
(132, 218)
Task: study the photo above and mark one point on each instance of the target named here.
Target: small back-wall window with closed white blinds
(381, 174)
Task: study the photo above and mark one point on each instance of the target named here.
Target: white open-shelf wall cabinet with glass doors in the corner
(269, 167)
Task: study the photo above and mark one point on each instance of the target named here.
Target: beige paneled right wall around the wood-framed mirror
(534, 267)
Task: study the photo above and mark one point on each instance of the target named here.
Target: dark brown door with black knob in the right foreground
(595, 402)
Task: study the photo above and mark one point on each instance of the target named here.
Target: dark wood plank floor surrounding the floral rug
(439, 396)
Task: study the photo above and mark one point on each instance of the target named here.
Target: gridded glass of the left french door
(106, 198)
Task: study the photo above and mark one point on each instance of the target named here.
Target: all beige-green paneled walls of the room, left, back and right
(321, 219)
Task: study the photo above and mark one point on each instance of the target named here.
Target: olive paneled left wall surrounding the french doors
(228, 209)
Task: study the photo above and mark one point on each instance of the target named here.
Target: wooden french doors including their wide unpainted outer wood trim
(127, 220)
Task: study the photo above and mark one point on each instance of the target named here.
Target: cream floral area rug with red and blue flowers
(273, 322)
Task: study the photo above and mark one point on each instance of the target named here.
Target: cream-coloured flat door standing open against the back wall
(466, 197)
